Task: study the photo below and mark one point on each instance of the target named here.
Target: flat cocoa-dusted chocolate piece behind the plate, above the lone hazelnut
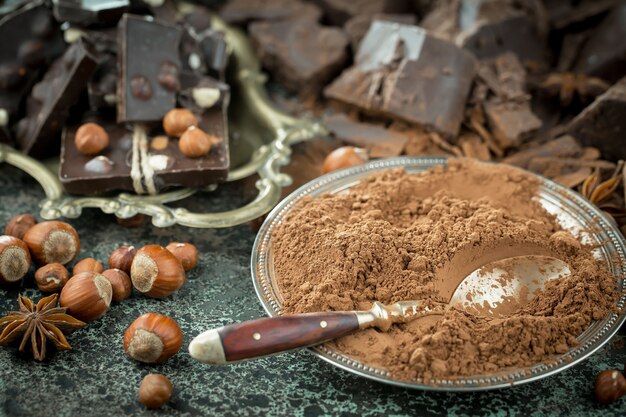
(379, 141)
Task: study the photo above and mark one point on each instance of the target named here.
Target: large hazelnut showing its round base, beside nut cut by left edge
(51, 242)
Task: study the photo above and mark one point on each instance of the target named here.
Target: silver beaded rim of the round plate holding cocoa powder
(573, 212)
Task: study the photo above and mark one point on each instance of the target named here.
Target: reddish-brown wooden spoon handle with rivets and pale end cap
(267, 336)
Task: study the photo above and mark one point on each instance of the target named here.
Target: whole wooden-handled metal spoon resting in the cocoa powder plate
(494, 289)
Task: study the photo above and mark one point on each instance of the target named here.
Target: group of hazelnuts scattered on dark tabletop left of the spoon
(153, 270)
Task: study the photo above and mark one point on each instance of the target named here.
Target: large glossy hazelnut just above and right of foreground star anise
(87, 296)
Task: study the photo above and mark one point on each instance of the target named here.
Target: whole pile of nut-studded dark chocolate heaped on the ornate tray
(95, 81)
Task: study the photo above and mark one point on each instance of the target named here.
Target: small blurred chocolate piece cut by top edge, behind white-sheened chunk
(340, 11)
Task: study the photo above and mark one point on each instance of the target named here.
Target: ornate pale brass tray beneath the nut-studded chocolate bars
(261, 145)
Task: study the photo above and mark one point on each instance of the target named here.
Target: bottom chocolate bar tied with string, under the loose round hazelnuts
(134, 160)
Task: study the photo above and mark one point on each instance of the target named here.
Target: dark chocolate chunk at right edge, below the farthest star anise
(602, 124)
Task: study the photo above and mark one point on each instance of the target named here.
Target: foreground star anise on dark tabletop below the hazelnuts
(37, 324)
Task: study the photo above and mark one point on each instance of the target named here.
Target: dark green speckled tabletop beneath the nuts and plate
(97, 379)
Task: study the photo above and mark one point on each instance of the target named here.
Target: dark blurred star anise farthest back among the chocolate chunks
(567, 85)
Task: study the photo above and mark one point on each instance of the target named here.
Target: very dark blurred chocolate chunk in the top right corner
(604, 54)
